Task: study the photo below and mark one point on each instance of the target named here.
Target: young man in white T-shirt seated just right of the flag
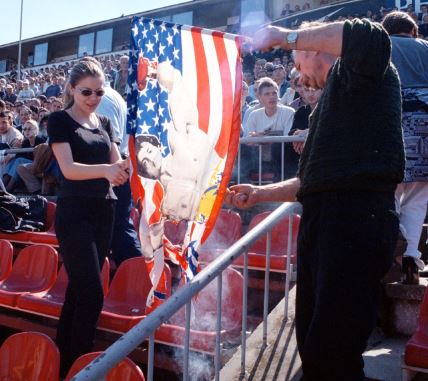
(272, 118)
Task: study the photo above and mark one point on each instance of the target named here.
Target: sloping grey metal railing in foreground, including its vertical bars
(98, 368)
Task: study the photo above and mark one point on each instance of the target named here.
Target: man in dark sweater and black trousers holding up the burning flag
(352, 161)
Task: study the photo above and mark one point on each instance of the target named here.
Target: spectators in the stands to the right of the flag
(277, 69)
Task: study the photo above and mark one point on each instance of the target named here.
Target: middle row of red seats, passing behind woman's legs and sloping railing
(32, 285)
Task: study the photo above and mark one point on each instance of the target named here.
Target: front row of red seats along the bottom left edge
(34, 356)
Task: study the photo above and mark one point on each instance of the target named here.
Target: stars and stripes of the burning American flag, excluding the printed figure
(209, 64)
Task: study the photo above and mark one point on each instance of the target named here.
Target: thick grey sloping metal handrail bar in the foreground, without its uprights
(134, 337)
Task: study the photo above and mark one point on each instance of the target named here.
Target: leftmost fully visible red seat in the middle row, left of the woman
(34, 271)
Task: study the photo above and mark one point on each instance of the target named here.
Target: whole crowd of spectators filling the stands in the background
(273, 104)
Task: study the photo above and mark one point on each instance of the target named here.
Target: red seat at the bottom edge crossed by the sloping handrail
(126, 370)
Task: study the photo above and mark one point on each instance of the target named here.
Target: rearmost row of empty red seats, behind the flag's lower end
(227, 231)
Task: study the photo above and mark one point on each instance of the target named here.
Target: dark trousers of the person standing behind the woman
(125, 243)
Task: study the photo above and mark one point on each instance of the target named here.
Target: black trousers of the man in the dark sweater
(345, 246)
